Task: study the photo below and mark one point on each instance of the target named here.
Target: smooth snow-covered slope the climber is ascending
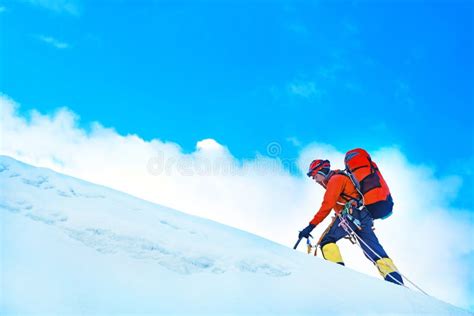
(72, 247)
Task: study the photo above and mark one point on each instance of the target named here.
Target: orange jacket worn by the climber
(339, 190)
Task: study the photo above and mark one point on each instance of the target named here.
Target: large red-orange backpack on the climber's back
(366, 177)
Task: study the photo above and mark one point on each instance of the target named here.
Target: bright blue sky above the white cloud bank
(246, 73)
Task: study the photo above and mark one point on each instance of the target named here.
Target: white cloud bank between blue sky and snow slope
(428, 239)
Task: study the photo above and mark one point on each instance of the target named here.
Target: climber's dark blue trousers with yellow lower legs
(369, 239)
